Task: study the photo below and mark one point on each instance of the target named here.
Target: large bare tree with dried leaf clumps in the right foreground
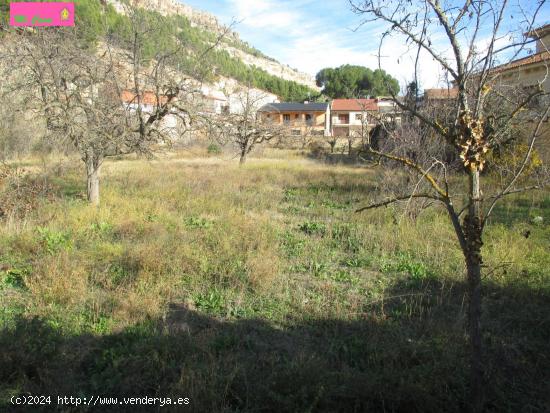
(466, 41)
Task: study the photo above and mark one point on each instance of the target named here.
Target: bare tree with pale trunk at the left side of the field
(80, 95)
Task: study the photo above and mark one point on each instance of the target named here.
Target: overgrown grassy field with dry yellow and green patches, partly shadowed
(258, 289)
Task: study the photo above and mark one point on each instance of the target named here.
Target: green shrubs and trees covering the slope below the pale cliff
(94, 24)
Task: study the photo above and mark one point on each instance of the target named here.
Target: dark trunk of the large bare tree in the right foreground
(473, 235)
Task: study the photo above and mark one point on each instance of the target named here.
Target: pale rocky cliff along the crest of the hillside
(210, 23)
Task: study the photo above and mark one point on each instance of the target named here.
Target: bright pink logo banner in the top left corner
(41, 14)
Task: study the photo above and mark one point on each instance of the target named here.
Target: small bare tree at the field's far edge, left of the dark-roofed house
(243, 127)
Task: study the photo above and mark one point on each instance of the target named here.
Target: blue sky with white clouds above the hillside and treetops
(310, 35)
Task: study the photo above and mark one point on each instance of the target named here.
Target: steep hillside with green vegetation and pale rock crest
(198, 31)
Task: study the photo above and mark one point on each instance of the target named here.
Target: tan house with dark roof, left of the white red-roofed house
(301, 119)
